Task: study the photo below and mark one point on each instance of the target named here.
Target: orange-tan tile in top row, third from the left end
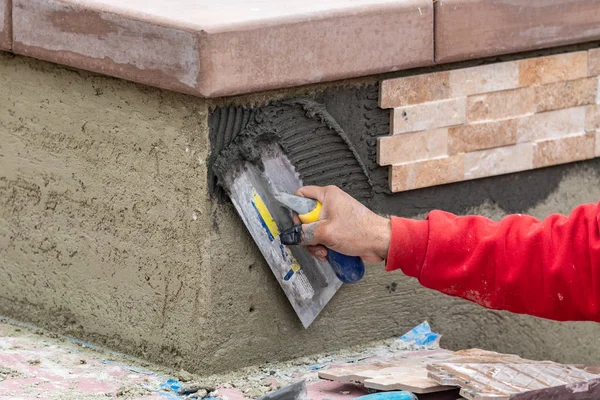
(554, 68)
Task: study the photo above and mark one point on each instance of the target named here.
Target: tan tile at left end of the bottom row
(422, 174)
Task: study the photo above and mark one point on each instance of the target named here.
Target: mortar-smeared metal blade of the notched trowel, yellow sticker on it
(307, 282)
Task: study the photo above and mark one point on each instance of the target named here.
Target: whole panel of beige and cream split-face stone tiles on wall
(491, 119)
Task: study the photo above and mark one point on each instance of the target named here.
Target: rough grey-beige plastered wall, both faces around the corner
(108, 233)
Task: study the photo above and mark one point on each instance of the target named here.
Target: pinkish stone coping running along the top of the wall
(220, 48)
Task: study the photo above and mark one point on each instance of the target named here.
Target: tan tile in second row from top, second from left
(501, 105)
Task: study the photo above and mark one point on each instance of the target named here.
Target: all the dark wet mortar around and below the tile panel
(331, 139)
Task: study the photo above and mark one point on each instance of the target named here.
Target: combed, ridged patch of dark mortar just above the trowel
(311, 138)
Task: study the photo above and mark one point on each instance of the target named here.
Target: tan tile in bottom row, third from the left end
(564, 150)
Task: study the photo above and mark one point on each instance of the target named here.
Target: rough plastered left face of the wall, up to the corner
(103, 220)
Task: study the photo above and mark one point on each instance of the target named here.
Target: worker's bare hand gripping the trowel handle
(345, 225)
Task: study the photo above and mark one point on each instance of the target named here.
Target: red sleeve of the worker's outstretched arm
(549, 268)
